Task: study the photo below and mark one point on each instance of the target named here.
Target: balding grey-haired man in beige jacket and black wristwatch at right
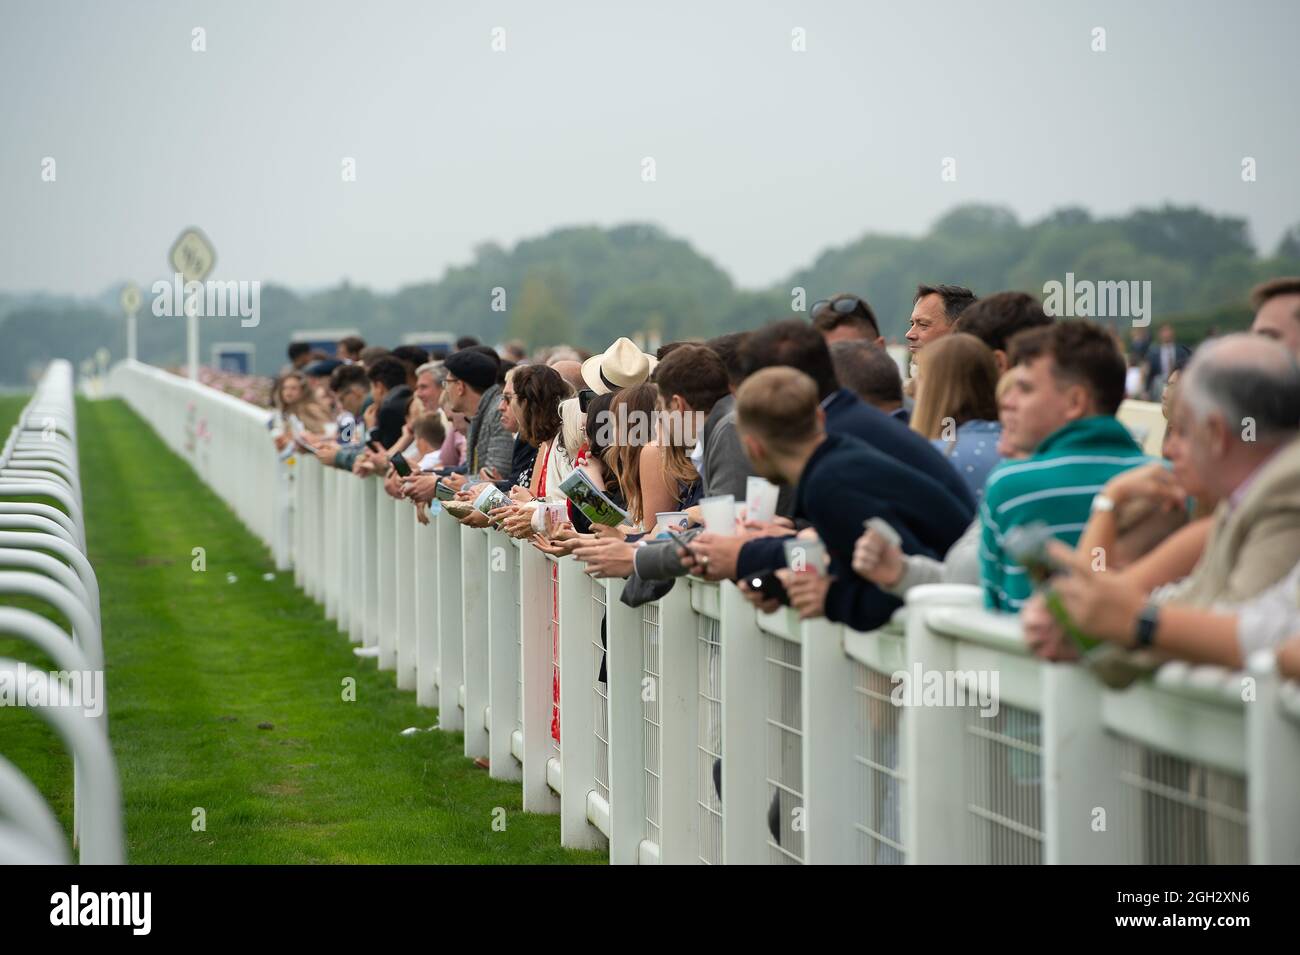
(1241, 397)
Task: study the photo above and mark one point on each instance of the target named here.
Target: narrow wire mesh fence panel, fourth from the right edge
(785, 750)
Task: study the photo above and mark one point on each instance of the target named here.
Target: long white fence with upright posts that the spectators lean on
(725, 736)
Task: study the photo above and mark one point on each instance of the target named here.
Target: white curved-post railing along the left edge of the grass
(44, 561)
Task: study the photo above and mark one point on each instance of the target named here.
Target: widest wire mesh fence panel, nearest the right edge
(1176, 811)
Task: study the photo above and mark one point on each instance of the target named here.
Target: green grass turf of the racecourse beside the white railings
(196, 663)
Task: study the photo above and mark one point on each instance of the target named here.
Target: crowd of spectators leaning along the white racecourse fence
(808, 466)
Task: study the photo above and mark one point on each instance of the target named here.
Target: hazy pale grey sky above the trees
(765, 157)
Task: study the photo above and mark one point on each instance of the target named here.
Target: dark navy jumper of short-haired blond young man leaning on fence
(846, 483)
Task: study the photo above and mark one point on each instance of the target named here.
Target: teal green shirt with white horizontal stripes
(1056, 488)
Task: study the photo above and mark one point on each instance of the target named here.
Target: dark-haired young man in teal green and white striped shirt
(1068, 384)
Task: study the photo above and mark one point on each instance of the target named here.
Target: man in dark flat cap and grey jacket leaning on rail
(471, 389)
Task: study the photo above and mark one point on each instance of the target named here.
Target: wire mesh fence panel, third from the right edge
(879, 824)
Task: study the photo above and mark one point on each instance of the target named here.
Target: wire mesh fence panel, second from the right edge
(1004, 787)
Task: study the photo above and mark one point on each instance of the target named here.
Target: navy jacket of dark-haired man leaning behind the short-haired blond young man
(850, 415)
